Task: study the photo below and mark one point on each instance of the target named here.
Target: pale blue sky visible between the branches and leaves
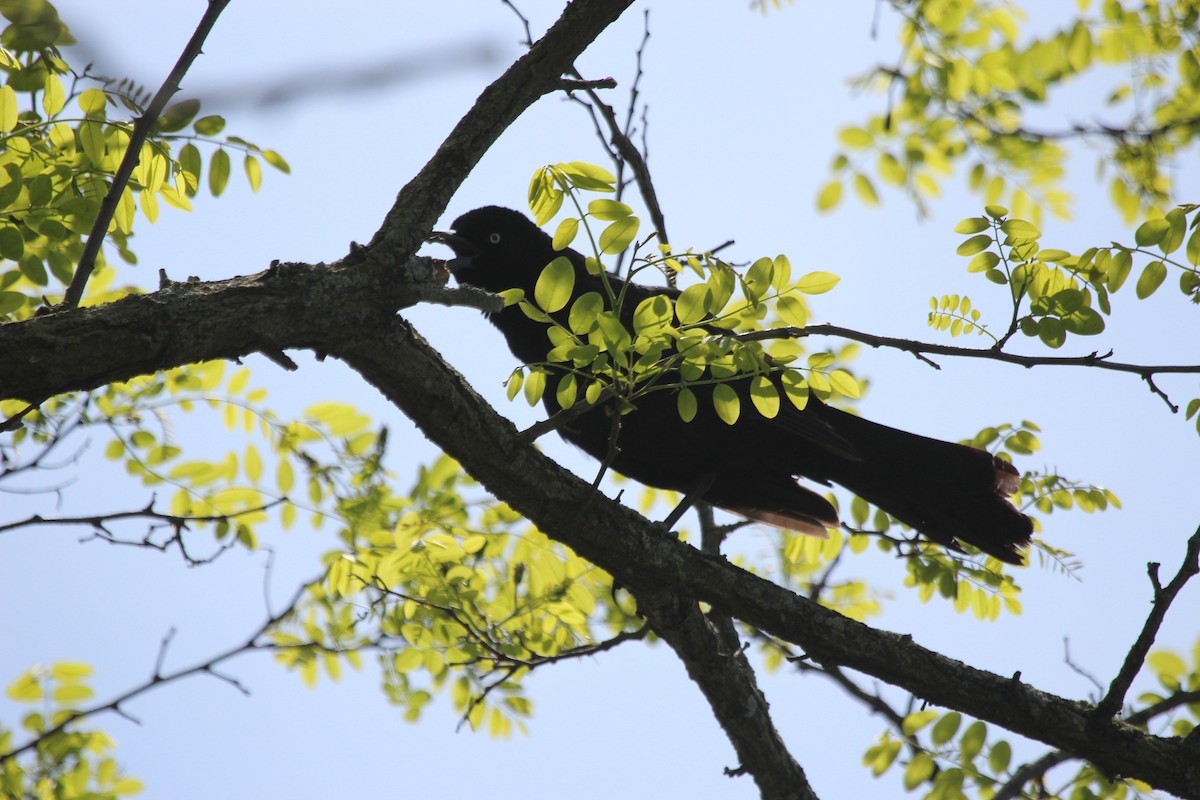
(743, 116)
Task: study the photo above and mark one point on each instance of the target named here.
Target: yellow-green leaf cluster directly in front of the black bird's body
(616, 344)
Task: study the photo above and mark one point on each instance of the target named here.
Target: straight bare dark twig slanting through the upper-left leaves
(134, 153)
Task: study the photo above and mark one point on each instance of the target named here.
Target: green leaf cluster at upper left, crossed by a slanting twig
(63, 136)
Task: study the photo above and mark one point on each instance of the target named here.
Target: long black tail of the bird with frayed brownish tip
(946, 491)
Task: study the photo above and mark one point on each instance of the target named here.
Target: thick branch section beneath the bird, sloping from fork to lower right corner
(641, 558)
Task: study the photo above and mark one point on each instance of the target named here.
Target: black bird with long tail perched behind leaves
(949, 492)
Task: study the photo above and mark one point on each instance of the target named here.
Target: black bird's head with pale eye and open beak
(496, 249)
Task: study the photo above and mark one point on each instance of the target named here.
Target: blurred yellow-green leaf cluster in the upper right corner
(969, 77)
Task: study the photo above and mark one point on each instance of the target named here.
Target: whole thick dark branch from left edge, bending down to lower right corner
(347, 314)
